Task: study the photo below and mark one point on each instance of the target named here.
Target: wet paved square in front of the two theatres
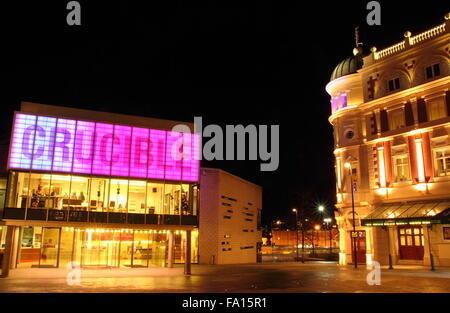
(285, 277)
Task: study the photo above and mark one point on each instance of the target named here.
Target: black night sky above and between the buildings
(231, 62)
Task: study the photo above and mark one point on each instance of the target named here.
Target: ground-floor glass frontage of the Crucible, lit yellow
(57, 246)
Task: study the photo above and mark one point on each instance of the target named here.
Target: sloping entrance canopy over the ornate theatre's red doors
(409, 213)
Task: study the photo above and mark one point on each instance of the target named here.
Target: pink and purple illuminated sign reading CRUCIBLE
(64, 145)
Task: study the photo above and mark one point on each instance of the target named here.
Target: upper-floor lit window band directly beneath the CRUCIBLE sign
(80, 194)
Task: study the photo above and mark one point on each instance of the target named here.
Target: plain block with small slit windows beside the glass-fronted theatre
(230, 222)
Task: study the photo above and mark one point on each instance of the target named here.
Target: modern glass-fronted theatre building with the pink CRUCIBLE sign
(101, 189)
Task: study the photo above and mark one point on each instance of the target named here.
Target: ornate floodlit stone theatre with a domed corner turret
(390, 110)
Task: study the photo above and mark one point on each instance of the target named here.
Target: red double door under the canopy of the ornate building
(411, 242)
